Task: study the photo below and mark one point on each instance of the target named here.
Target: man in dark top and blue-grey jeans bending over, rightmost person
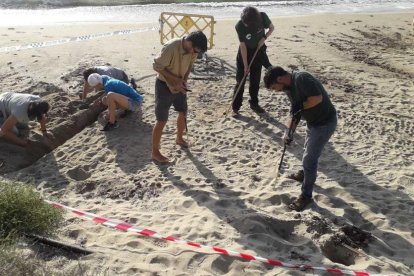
(309, 99)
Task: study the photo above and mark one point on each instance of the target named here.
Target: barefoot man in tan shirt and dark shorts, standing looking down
(173, 66)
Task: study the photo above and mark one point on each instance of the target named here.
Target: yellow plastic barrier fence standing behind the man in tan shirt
(173, 25)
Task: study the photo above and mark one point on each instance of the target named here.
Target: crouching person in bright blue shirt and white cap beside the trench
(118, 94)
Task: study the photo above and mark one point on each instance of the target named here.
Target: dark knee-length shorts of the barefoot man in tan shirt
(164, 99)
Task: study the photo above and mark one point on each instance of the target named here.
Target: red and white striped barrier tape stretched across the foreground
(149, 233)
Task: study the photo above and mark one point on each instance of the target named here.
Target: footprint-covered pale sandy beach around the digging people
(221, 191)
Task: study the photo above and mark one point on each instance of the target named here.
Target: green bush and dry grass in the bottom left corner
(22, 211)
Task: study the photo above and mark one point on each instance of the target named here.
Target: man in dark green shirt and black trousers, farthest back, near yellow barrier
(251, 33)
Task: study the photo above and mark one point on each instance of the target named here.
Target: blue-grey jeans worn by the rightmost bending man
(316, 139)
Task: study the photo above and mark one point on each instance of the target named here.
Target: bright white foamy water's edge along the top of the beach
(16, 17)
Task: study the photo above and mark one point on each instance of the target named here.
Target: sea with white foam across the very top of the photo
(151, 12)
